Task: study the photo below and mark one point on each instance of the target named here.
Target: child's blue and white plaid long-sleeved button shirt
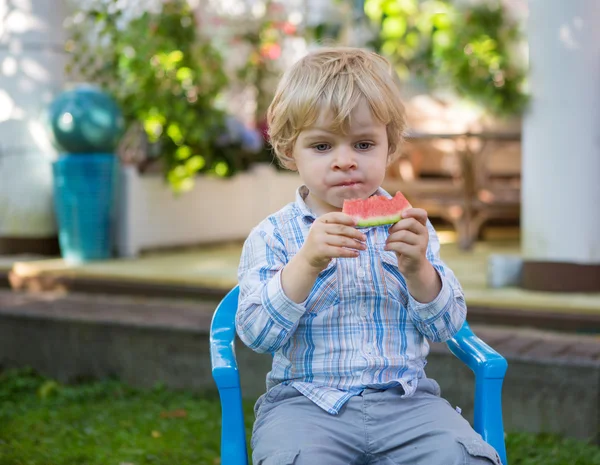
(359, 327)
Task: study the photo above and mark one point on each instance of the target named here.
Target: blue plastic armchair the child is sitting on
(489, 368)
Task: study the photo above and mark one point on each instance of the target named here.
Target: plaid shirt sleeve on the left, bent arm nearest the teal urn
(266, 317)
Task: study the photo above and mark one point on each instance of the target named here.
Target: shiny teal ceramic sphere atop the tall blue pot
(85, 120)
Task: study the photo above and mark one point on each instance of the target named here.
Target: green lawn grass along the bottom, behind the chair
(107, 422)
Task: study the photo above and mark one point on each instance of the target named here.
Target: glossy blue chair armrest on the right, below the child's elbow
(484, 361)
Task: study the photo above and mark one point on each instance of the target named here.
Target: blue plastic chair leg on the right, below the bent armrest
(488, 414)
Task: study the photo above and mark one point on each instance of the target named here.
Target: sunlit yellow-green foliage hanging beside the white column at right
(469, 48)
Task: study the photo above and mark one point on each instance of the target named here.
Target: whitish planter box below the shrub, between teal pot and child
(215, 210)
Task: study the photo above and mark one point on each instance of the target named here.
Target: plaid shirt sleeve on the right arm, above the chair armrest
(440, 319)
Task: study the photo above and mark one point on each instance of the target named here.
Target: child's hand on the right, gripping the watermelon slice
(409, 238)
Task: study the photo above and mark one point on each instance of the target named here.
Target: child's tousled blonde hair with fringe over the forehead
(334, 80)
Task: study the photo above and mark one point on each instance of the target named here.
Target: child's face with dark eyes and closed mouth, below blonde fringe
(337, 166)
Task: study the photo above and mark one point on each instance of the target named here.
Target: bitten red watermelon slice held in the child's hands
(376, 210)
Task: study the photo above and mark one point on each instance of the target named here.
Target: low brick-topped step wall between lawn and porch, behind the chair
(552, 384)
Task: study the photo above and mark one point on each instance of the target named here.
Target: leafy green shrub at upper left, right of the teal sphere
(163, 74)
